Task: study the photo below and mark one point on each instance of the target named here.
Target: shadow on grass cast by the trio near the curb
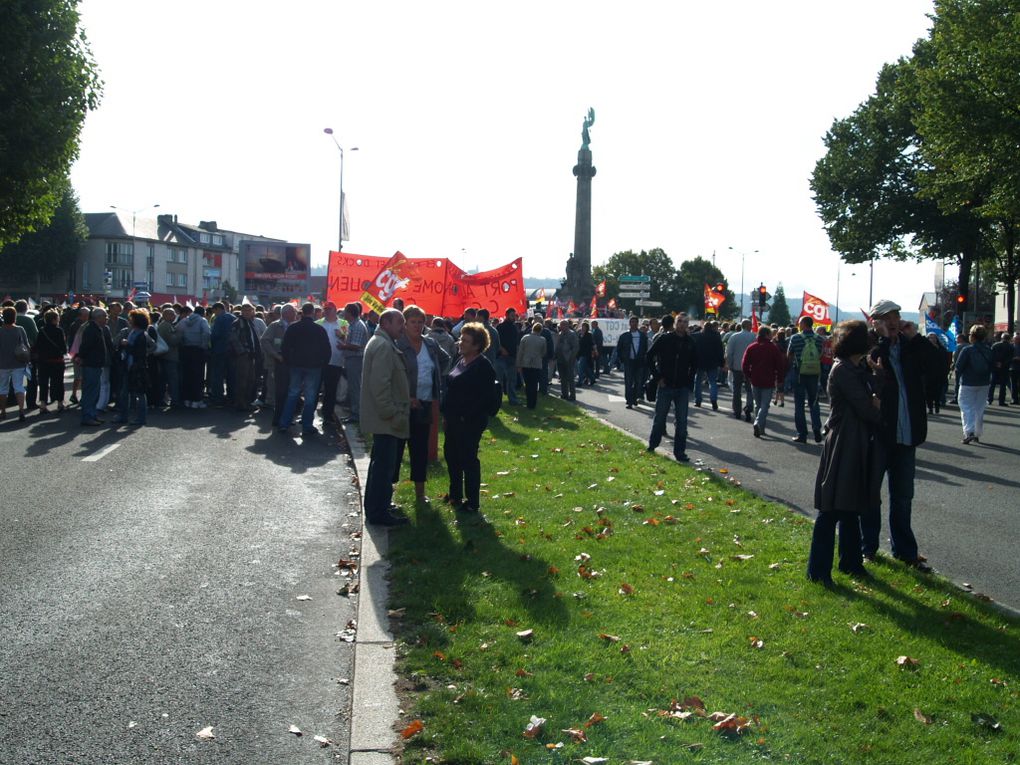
(432, 568)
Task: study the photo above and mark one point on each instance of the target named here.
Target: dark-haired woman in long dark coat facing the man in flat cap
(850, 479)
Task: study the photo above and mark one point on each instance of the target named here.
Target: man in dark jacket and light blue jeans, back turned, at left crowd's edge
(305, 351)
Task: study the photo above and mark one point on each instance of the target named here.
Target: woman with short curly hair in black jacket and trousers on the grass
(469, 392)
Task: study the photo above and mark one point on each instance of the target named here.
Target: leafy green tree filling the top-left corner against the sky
(48, 83)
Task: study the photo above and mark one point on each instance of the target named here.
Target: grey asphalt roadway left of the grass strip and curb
(151, 591)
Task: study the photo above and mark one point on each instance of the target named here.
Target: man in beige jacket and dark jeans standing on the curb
(386, 406)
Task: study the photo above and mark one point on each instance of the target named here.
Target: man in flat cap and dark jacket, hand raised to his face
(901, 361)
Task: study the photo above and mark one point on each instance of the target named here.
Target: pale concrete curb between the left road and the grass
(375, 707)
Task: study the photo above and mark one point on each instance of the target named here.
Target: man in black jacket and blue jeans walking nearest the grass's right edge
(673, 360)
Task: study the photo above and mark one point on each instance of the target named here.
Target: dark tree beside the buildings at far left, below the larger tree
(45, 254)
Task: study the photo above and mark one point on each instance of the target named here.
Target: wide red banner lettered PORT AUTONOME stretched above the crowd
(438, 286)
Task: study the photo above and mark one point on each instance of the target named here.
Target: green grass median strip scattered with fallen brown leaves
(750, 637)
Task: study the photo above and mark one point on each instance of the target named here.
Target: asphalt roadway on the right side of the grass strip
(966, 513)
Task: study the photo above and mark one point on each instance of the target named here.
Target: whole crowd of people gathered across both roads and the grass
(398, 373)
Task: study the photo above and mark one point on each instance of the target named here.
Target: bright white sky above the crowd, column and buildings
(709, 120)
